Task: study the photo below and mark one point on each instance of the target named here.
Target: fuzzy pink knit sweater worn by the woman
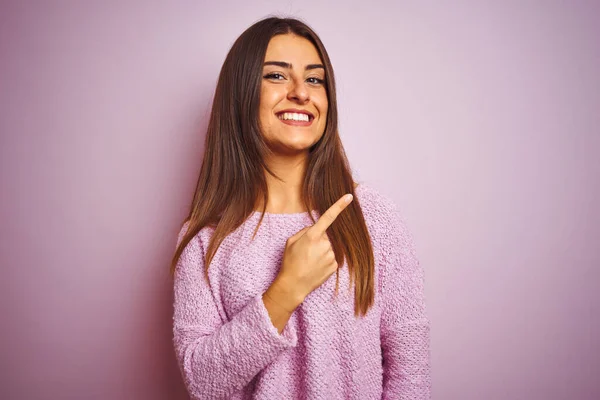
(227, 347)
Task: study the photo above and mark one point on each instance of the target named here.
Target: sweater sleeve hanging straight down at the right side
(404, 322)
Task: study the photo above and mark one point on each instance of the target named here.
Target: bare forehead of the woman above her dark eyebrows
(293, 49)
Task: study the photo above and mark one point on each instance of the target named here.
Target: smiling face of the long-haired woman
(293, 97)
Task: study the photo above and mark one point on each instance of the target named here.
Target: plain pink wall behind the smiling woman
(481, 121)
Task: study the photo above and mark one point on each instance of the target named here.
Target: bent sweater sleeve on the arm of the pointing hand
(216, 358)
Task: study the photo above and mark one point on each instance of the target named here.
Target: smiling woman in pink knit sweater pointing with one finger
(267, 320)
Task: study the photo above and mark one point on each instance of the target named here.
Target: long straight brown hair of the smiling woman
(232, 176)
